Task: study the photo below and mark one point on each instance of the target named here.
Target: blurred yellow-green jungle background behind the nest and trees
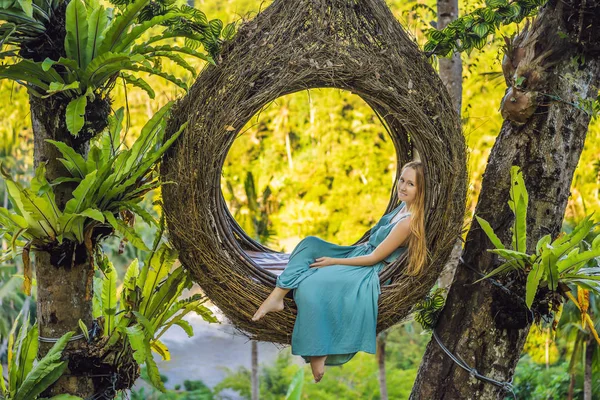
(317, 163)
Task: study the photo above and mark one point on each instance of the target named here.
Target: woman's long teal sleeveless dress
(337, 304)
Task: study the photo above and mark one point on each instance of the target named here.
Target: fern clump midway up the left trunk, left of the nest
(112, 181)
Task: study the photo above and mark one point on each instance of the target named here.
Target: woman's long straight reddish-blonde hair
(417, 243)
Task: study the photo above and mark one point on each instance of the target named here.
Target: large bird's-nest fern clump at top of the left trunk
(100, 48)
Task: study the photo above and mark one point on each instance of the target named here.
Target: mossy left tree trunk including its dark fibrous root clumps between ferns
(64, 272)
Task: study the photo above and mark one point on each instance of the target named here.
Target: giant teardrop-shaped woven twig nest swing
(296, 45)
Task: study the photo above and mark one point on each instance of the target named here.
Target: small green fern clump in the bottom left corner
(27, 376)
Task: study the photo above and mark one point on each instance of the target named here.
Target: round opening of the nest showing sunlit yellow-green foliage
(316, 162)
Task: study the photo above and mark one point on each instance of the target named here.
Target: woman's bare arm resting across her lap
(395, 239)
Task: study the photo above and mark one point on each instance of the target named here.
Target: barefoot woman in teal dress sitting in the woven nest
(337, 287)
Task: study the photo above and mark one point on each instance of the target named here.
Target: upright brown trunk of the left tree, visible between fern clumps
(61, 273)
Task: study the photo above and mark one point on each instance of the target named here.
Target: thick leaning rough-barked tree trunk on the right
(480, 323)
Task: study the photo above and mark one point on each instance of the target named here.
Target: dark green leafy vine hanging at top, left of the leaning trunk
(472, 30)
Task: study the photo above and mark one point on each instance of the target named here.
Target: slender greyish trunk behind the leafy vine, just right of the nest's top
(450, 68)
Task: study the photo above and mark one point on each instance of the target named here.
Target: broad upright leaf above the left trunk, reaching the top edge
(77, 33)
